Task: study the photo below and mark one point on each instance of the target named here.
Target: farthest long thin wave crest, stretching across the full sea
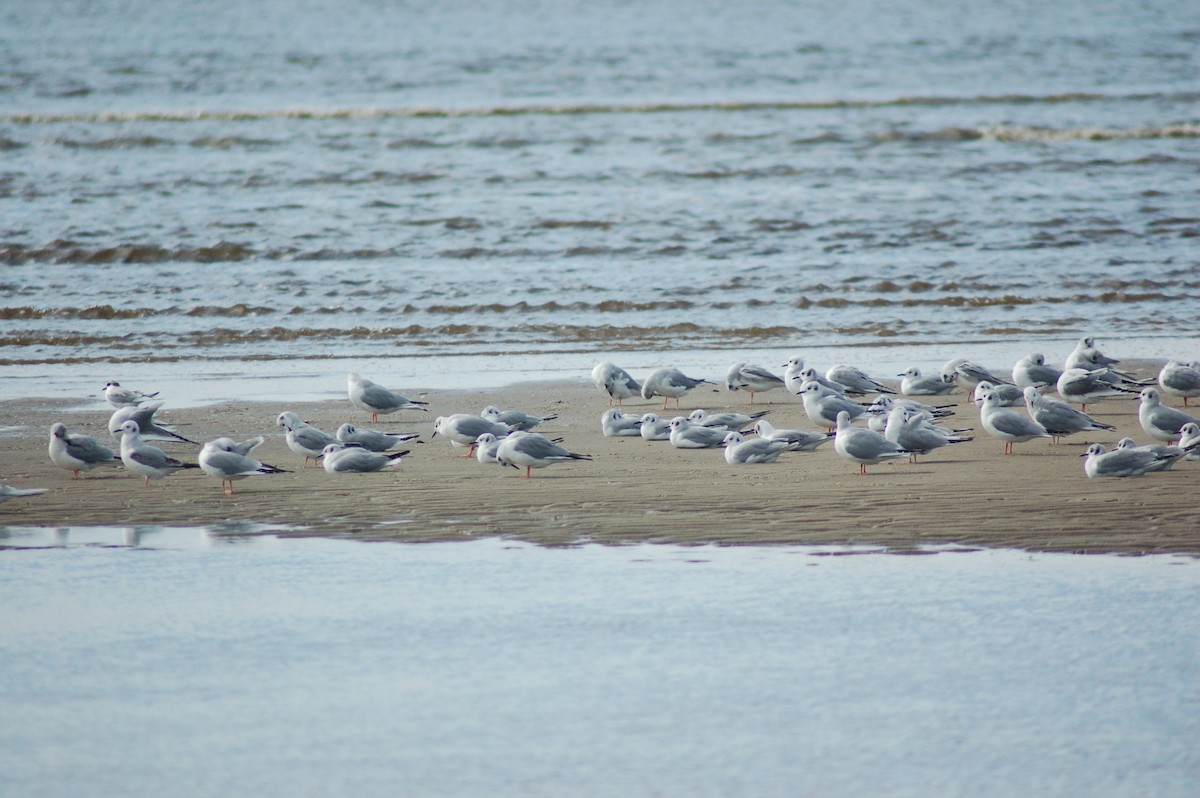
(376, 113)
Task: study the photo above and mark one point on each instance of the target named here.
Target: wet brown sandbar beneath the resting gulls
(967, 495)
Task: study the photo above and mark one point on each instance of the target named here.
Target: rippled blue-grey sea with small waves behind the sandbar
(207, 196)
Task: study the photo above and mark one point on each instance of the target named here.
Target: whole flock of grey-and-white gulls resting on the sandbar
(867, 421)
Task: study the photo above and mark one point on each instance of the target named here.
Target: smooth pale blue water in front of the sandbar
(226, 662)
